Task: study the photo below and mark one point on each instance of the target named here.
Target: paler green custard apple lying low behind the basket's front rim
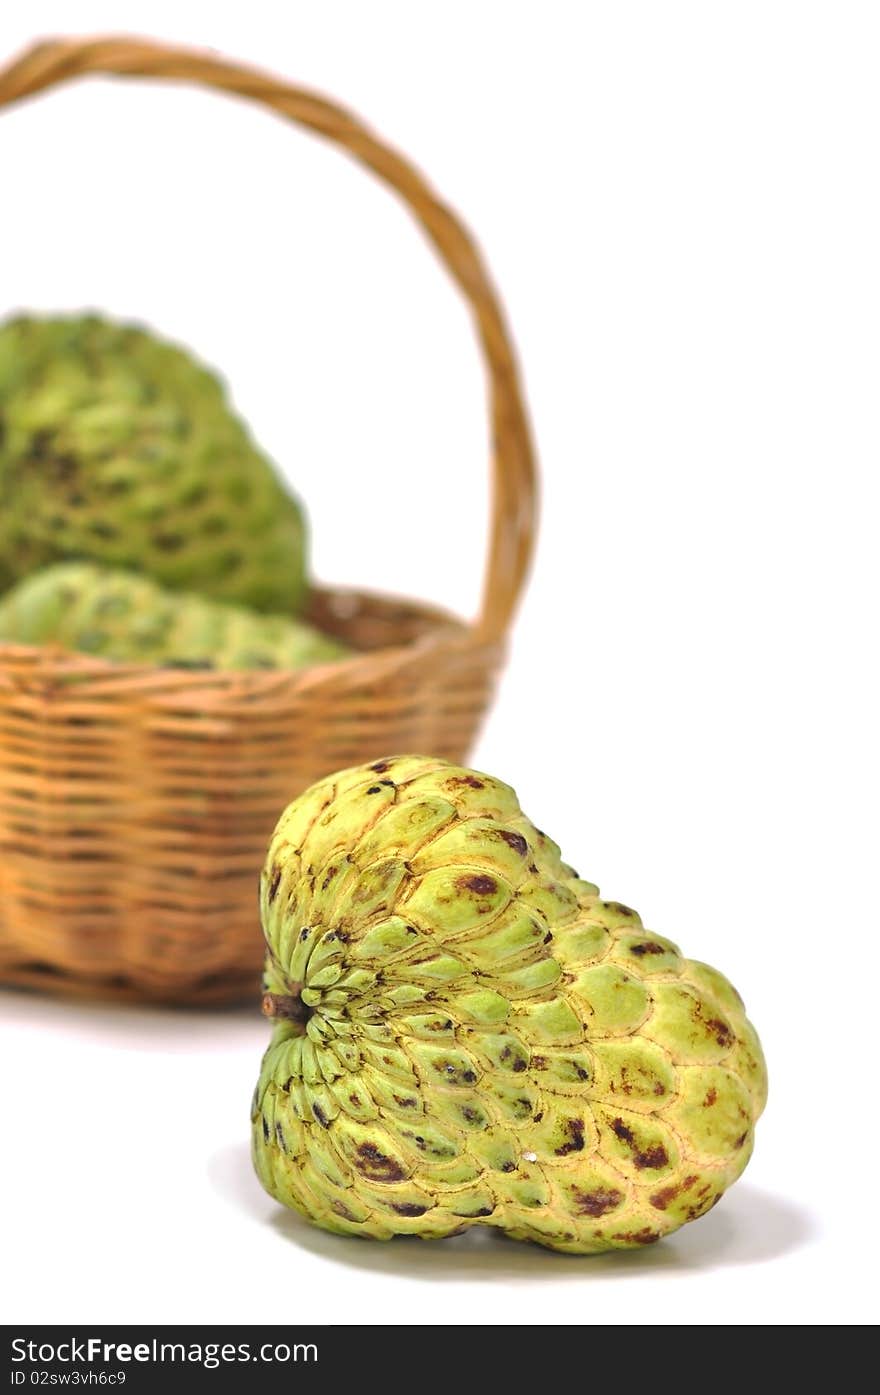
(126, 617)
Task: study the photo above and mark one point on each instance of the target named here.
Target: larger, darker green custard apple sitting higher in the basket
(119, 448)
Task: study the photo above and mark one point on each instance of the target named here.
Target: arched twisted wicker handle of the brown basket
(514, 465)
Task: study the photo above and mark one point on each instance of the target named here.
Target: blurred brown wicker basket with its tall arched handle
(136, 804)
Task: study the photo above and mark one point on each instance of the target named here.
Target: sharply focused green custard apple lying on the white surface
(465, 1033)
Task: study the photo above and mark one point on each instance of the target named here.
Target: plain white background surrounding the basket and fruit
(680, 203)
